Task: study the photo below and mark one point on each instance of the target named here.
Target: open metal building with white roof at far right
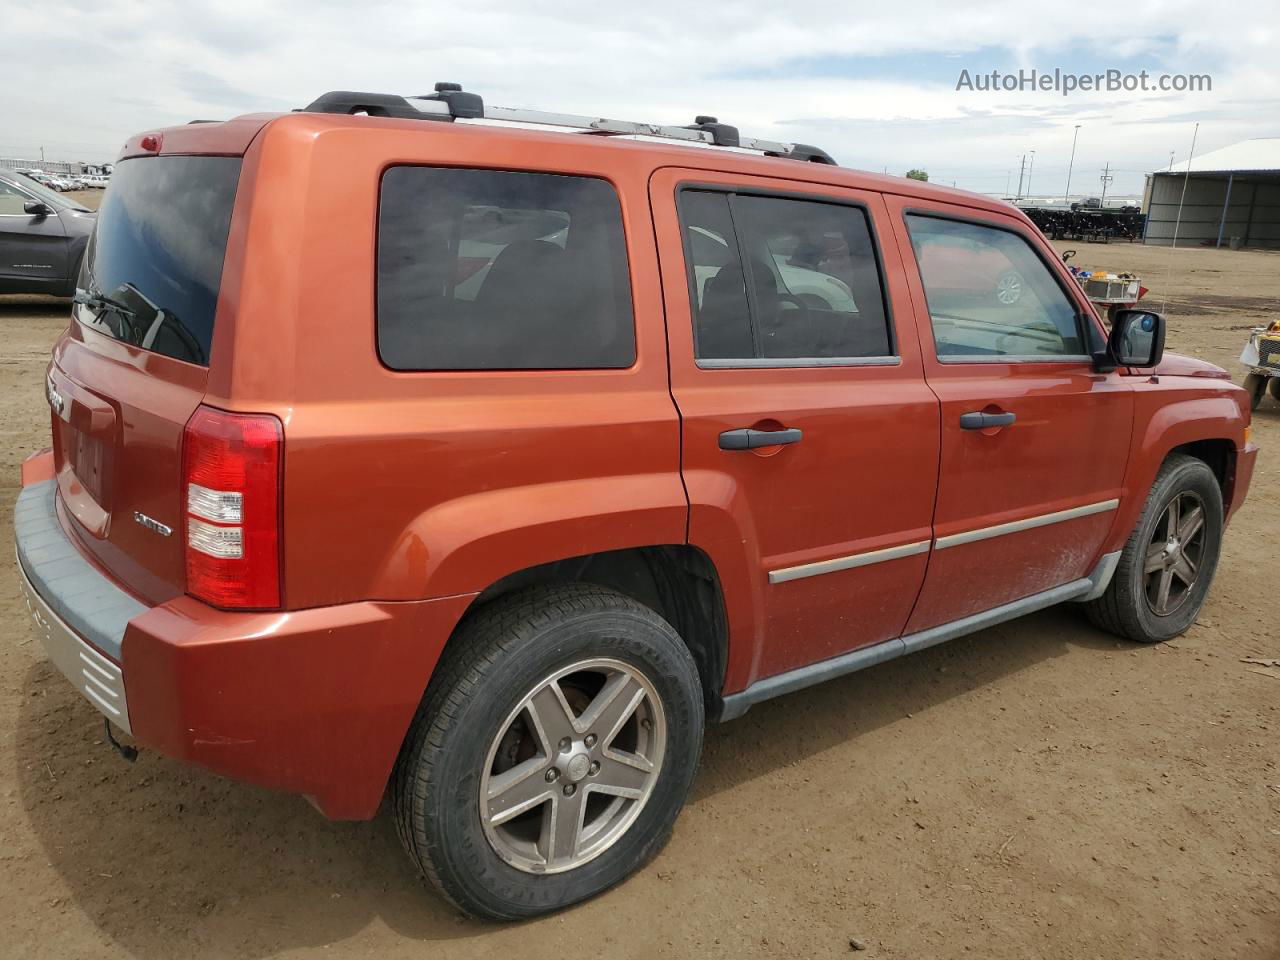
(1233, 199)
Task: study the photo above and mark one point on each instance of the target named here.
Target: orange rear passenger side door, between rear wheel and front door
(810, 438)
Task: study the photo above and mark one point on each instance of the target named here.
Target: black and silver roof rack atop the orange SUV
(451, 103)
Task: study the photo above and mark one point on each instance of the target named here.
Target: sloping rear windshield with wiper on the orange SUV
(156, 262)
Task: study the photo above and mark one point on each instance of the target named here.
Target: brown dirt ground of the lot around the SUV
(1037, 790)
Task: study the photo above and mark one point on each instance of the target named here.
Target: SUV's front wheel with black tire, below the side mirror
(1131, 606)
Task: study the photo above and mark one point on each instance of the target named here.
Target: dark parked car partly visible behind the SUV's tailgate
(43, 237)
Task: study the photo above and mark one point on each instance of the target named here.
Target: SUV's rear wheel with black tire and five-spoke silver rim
(476, 721)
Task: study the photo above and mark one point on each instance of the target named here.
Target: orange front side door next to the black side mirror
(1035, 441)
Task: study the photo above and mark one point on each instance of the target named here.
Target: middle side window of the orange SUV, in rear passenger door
(785, 280)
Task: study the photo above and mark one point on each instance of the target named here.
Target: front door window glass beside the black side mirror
(990, 295)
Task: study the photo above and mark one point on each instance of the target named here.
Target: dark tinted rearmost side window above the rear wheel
(499, 271)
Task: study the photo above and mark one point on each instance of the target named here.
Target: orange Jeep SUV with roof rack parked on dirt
(479, 465)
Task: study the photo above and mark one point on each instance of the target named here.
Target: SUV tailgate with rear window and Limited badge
(135, 364)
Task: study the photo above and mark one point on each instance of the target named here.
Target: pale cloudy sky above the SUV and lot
(874, 84)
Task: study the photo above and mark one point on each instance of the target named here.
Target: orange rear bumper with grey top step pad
(312, 702)
